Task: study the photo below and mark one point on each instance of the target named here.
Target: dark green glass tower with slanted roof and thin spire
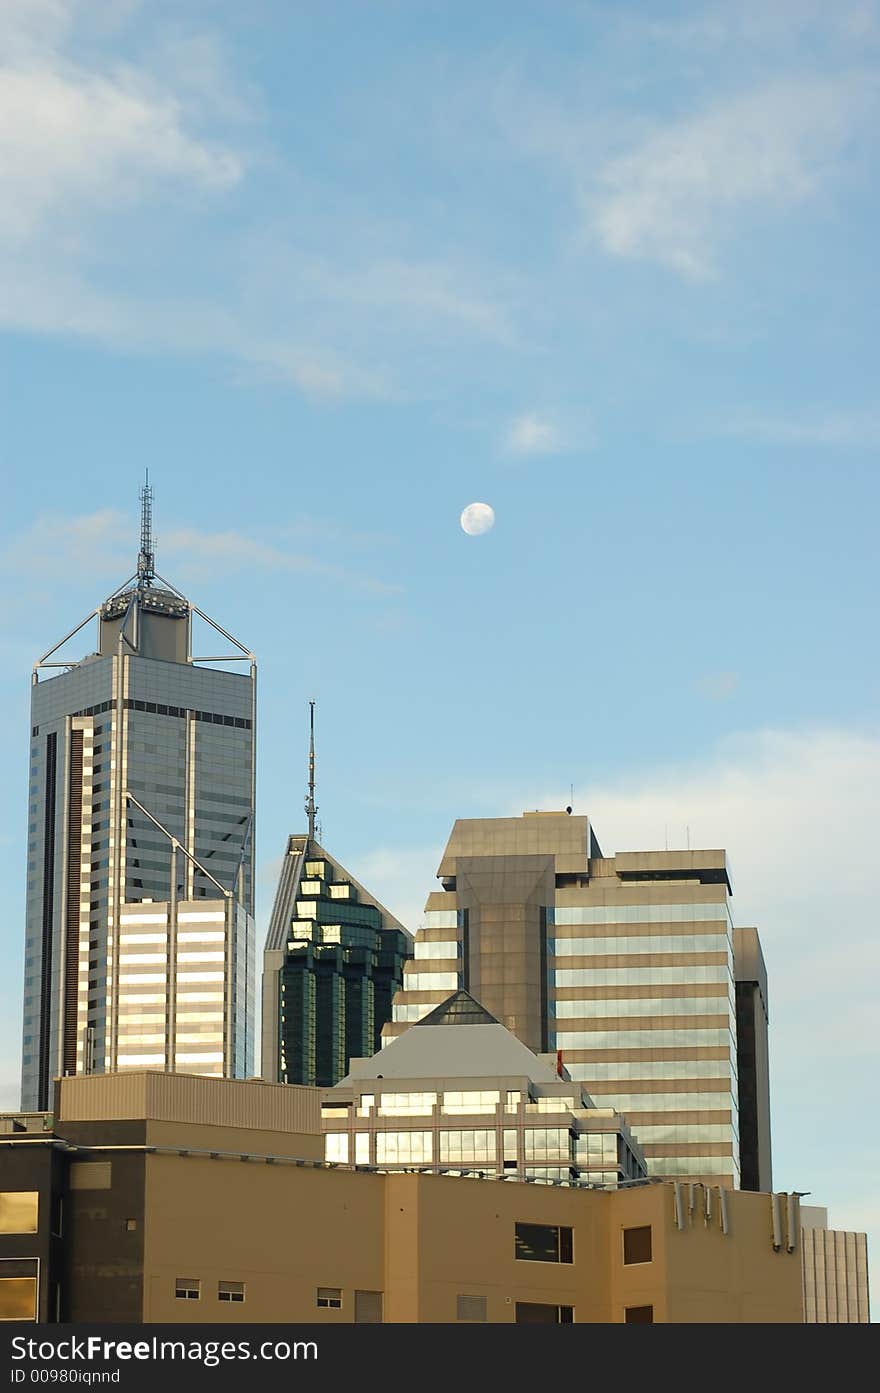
(335, 958)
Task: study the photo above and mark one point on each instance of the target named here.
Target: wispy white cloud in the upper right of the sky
(675, 197)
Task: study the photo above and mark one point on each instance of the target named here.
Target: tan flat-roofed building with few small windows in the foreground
(154, 1199)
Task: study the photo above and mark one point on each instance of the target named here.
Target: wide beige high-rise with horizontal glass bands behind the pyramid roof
(626, 965)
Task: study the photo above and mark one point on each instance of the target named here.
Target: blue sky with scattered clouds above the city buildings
(332, 274)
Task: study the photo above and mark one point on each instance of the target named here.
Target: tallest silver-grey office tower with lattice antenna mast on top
(140, 931)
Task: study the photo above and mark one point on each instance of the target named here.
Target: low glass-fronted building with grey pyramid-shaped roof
(460, 1096)
